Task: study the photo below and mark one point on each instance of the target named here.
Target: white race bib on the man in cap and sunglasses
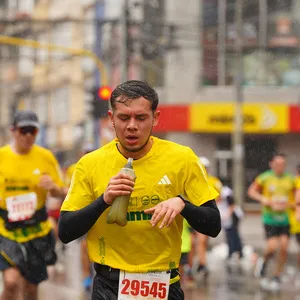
(21, 207)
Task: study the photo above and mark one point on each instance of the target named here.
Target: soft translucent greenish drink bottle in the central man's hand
(118, 210)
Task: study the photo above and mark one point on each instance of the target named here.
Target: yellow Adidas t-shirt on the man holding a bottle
(166, 171)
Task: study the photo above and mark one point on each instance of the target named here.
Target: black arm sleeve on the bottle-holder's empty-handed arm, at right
(204, 218)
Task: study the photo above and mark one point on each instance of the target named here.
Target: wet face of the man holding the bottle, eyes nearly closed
(133, 121)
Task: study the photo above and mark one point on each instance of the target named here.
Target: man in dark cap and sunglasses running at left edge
(27, 174)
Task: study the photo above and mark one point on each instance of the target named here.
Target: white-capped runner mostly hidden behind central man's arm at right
(200, 271)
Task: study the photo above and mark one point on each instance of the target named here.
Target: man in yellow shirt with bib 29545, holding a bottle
(170, 185)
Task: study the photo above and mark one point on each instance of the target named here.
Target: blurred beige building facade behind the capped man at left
(55, 84)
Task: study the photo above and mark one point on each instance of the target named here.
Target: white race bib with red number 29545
(141, 286)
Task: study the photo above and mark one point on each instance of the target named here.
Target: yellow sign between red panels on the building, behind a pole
(258, 118)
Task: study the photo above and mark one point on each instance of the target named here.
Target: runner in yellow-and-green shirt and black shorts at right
(274, 189)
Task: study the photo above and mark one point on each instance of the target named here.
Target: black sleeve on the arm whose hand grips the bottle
(74, 224)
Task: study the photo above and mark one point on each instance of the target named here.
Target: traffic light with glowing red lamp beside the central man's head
(100, 102)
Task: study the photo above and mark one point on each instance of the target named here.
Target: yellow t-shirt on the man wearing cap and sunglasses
(19, 178)
